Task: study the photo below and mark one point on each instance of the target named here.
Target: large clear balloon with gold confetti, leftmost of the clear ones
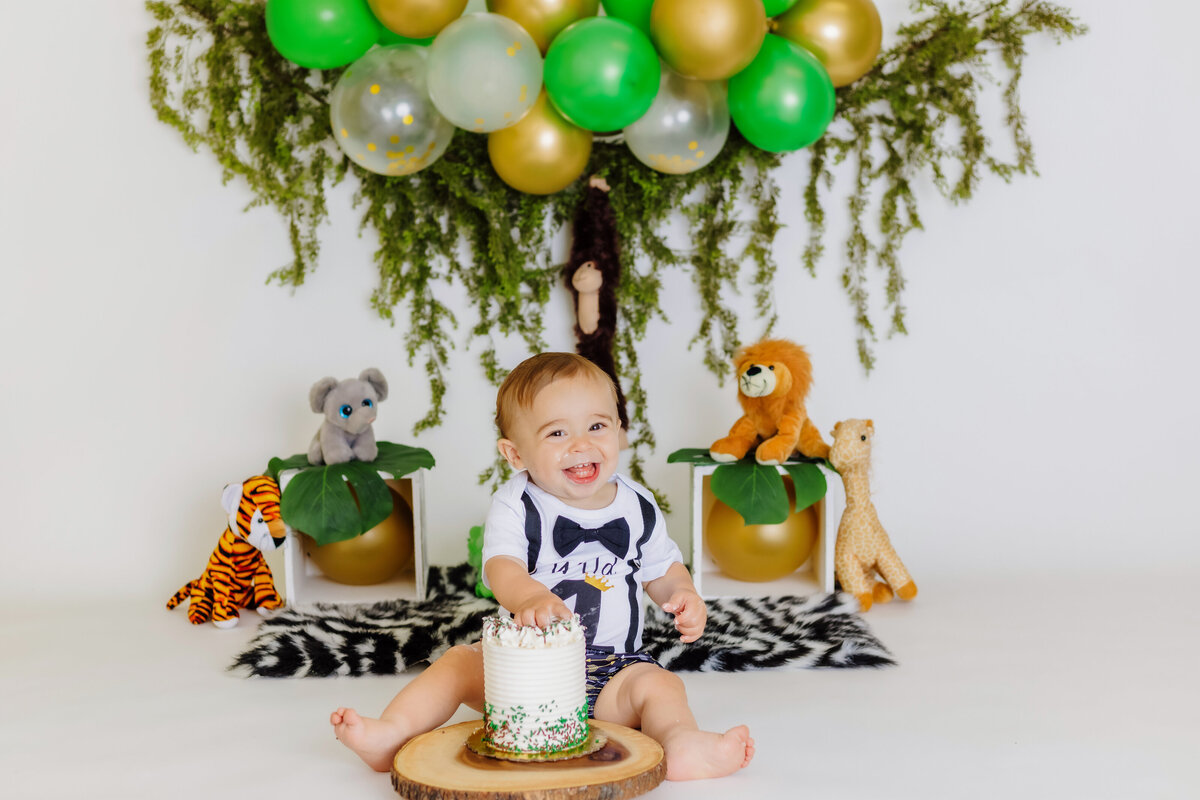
(382, 115)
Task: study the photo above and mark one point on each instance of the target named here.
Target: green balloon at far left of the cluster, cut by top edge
(321, 34)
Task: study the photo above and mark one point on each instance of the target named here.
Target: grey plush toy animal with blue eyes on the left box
(350, 410)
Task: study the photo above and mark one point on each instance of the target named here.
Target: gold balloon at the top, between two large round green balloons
(709, 40)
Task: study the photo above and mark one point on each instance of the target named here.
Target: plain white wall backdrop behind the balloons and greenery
(1041, 416)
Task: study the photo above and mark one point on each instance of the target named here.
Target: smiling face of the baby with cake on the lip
(569, 442)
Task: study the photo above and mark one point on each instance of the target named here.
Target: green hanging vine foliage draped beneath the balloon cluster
(217, 77)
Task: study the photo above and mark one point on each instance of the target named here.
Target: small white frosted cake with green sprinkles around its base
(536, 706)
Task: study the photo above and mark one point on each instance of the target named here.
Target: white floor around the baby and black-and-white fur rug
(1039, 685)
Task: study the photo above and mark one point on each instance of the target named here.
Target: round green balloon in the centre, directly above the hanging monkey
(602, 74)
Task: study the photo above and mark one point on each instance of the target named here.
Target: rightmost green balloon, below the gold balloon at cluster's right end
(784, 100)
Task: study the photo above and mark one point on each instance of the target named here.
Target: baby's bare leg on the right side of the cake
(649, 697)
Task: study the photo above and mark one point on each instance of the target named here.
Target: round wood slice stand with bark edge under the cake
(437, 766)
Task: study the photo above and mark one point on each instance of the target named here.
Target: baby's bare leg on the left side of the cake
(424, 705)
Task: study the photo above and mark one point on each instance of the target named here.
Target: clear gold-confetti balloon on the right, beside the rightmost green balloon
(686, 128)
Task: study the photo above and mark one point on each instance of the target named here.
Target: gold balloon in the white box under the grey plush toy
(371, 558)
